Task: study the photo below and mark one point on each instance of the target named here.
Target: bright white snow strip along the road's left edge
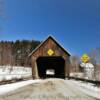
(11, 87)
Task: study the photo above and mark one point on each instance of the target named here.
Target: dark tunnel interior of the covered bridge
(53, 63)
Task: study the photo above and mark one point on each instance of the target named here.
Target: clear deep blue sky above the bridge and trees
(74, 23)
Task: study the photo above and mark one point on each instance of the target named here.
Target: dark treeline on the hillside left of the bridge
(16, 53)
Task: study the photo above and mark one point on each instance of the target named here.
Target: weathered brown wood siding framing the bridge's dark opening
(42, 51)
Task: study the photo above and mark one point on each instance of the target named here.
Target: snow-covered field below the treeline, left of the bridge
(14, 72)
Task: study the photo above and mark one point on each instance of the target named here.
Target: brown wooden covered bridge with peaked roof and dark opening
(49, 59)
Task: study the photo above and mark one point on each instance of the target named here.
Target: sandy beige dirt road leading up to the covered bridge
(49, 89)
